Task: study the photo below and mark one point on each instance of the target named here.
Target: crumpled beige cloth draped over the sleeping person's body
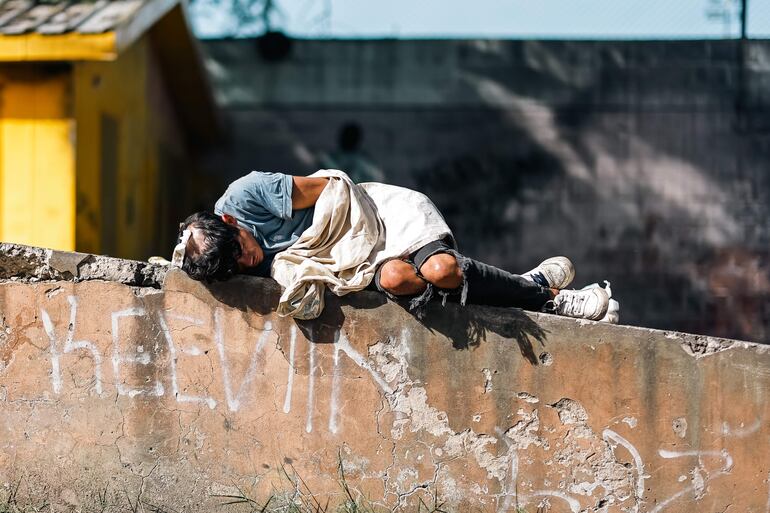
(356, 228)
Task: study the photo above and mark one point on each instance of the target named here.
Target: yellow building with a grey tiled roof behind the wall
(104, 108)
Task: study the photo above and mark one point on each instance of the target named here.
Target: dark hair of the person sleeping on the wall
(217, 259)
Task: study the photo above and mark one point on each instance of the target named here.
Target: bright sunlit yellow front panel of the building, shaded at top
(37, 164)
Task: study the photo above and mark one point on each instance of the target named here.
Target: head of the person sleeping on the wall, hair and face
(218, 247)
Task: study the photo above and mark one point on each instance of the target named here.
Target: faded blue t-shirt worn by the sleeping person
(261, 203)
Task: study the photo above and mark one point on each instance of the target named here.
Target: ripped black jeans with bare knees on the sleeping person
(483, 284)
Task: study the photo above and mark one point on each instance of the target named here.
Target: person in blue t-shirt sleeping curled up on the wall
(323, 230)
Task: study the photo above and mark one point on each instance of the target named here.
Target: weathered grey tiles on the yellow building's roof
(94, 17)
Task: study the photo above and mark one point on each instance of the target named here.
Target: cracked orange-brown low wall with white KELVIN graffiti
(176, 396)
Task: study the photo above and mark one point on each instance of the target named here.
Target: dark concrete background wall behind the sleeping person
(645, 162)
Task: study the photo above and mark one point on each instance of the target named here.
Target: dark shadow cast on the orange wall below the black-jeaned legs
(467, 326)
